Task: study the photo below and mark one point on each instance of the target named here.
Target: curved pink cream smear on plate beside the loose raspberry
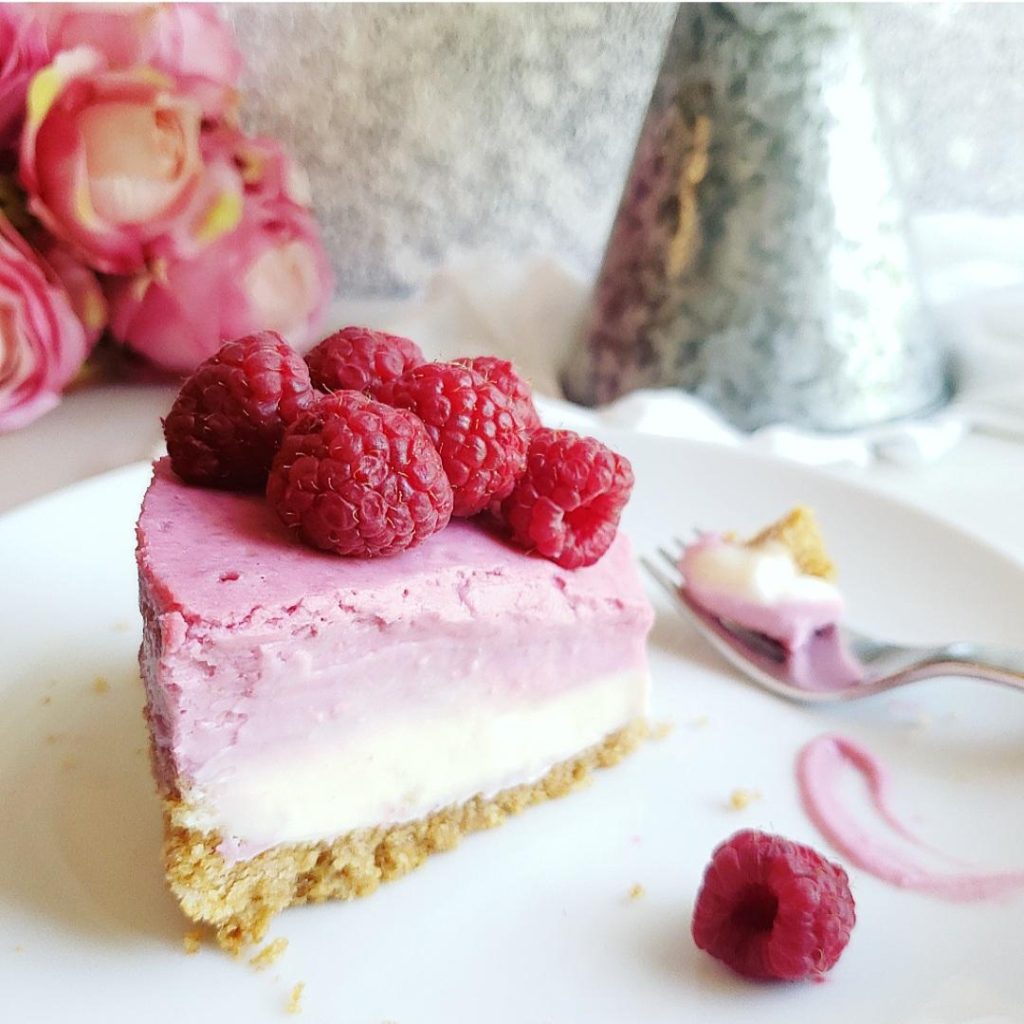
(820, 766)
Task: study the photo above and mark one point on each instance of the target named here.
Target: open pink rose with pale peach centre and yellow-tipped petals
(111, 159)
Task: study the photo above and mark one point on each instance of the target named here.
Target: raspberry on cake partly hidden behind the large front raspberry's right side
(482, 443)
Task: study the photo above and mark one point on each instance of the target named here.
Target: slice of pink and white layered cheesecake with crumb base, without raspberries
(320, 726)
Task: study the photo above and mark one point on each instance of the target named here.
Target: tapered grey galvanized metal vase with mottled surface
(759, 257)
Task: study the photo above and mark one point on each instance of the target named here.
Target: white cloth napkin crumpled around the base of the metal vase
(531, 311)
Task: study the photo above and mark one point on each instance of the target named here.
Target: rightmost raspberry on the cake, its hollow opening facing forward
(568, 504)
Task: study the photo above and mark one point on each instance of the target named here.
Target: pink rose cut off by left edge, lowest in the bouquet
(42, 344)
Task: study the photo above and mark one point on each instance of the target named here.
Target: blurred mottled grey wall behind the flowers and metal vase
(429, 129)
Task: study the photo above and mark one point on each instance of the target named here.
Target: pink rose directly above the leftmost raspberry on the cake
(271, 274)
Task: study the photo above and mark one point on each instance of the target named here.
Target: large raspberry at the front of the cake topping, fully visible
(360, 479)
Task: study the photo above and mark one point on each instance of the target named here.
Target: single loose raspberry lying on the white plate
(773, 909)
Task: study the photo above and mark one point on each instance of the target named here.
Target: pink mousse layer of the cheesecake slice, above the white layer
(254, 641)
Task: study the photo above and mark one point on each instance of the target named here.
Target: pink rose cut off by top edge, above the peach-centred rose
(182, 40)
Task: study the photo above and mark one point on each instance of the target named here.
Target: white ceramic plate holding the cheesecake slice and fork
(532, 922)
